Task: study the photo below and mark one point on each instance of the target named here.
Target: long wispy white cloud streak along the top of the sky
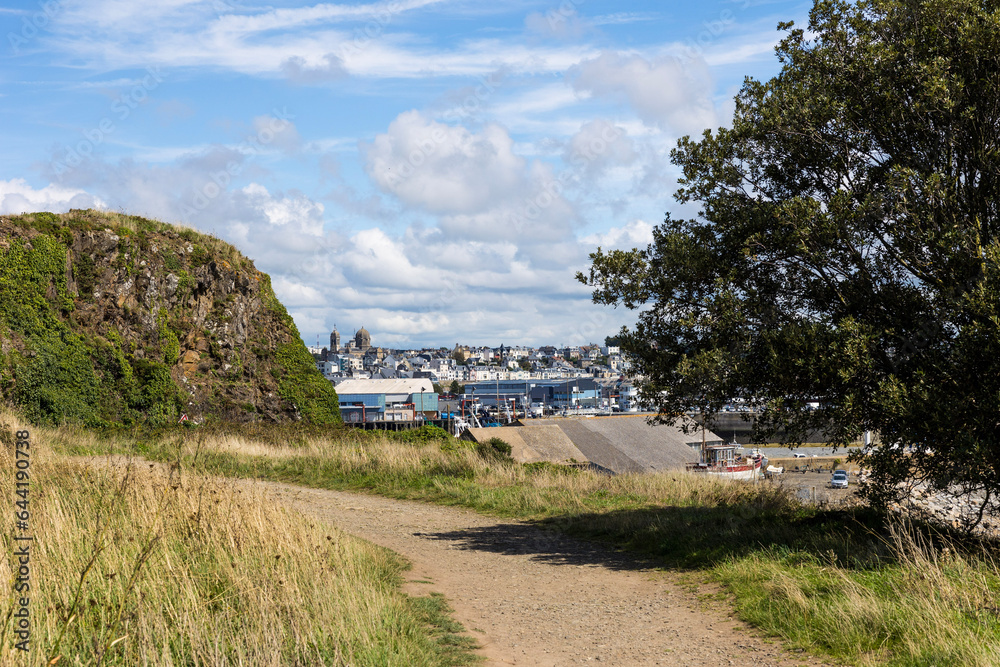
(306, 44)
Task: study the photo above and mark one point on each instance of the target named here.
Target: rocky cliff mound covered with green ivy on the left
(113, 319)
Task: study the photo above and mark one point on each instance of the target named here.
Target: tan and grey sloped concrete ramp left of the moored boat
(622, 444)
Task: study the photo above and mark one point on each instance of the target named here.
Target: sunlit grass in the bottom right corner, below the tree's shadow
(933, 603)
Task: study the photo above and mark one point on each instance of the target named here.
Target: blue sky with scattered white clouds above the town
(433, 170)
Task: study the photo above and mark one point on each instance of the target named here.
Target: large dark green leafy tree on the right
(847, 249)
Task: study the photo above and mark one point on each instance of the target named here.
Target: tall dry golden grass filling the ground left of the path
(166, 567)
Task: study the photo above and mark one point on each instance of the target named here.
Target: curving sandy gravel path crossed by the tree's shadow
(534, 598)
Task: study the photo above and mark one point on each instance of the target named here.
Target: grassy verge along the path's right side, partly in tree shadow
(845, 583)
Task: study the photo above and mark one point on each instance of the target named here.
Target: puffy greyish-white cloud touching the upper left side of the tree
(668, 93)
